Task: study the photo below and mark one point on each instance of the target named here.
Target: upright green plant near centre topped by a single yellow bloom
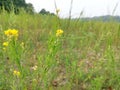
(54, 46)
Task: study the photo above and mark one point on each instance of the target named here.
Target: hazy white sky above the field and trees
(89, 7)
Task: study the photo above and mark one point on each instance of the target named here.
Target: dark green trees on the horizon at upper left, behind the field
(16, 5)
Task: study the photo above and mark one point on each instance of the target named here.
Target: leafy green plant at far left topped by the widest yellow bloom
(14, 49)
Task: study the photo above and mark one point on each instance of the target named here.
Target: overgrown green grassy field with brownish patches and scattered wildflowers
(86, 56)
